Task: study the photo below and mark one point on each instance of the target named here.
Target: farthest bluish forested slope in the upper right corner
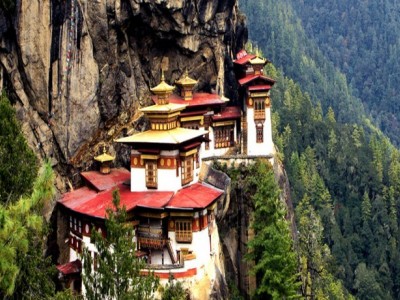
(361, 38)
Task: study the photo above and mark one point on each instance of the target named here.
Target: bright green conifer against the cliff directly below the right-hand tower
(272, 246)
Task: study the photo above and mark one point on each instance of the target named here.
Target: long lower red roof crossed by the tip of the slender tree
(88, 202)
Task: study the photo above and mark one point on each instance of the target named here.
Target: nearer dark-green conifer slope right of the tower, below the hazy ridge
(349, 178)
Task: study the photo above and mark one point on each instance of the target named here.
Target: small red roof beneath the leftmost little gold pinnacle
(102, 182)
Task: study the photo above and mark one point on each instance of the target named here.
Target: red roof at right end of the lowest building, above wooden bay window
(195, 196)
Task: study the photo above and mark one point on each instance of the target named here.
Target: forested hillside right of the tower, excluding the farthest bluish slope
(344, 174)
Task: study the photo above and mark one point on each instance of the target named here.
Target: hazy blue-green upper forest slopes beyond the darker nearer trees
(330, 46)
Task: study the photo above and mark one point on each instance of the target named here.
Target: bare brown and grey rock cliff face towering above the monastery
(78, 70)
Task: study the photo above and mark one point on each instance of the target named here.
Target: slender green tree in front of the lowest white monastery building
(118, 274)
